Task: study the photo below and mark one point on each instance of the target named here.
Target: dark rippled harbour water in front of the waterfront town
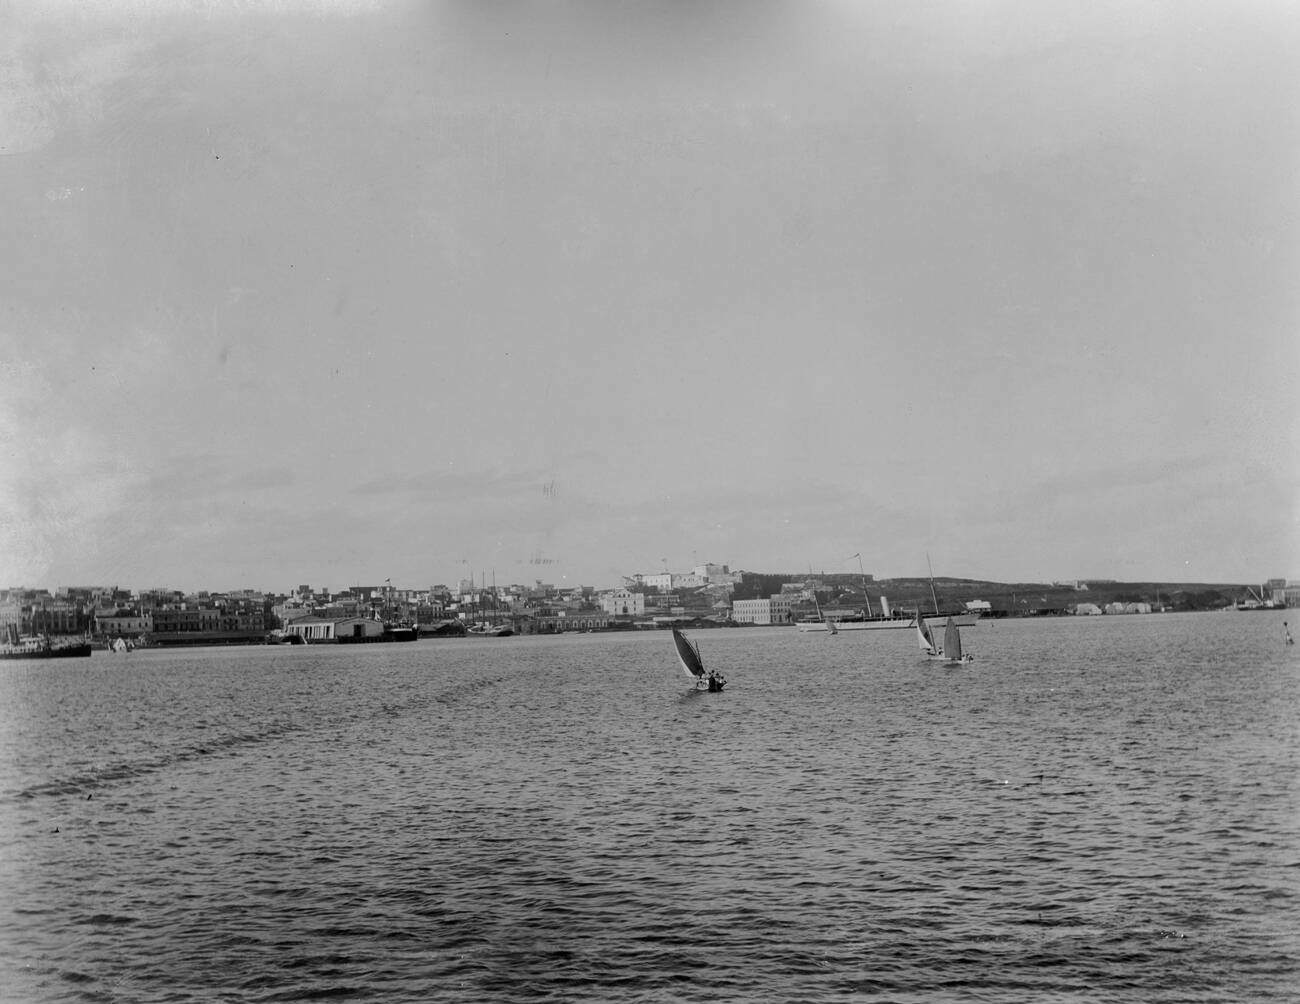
(1100, 808)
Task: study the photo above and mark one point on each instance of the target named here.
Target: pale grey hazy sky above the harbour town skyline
(336, 293)
